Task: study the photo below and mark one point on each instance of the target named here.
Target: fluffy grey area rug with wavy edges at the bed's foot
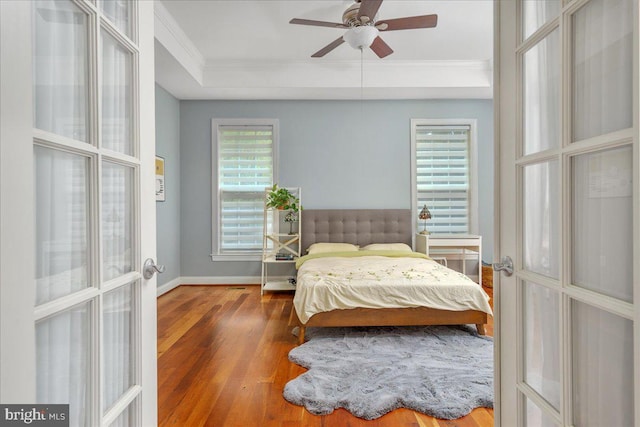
(441, 371)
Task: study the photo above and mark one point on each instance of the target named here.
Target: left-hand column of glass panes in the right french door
(539, 175)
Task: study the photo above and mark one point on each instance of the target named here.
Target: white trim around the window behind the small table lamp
(473, 167)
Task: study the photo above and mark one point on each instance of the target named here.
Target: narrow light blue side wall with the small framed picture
(168, 212)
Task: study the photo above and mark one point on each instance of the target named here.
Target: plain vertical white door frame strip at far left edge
(17, 265)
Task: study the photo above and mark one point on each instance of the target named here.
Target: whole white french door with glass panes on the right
(569, 214)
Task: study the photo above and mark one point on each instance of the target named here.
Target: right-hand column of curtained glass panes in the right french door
(600, 288)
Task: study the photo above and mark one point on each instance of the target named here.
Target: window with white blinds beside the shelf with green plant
(244, 164)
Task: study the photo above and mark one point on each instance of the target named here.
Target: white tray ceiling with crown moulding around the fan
(246, 49)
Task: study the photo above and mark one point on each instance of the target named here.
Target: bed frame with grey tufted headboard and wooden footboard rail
(362, 227)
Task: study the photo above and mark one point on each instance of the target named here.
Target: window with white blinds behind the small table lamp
(444, 174)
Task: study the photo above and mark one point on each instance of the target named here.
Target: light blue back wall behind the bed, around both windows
(343, 154)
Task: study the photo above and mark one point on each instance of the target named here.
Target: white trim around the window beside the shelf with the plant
(216, 255)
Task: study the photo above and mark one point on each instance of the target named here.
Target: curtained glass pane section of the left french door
(87, 196)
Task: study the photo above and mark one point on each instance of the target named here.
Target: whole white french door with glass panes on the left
(78, 209)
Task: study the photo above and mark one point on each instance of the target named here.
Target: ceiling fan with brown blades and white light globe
(363, 29)
